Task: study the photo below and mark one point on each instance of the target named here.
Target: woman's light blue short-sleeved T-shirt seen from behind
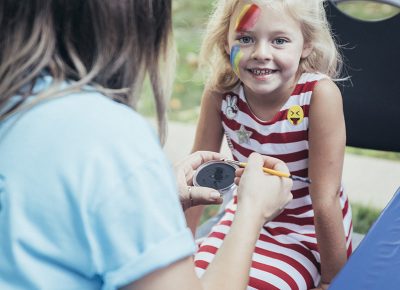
(87, 197)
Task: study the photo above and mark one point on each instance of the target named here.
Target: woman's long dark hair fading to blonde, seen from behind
(111, 45)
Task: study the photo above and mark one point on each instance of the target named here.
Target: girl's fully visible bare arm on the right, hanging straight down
(327, 139)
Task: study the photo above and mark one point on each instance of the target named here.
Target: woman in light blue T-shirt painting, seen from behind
(88, 200)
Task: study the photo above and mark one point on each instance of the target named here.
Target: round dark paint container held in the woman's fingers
(219, 175)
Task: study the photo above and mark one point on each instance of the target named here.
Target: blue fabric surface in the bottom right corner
(375, 264)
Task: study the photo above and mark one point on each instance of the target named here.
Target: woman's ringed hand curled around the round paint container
(190, 195)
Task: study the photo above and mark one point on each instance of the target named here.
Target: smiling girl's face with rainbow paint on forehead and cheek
(265, 47)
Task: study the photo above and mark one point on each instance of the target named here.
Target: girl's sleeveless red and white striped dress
(286, 254)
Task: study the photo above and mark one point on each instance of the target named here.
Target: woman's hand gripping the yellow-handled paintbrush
(266, 195)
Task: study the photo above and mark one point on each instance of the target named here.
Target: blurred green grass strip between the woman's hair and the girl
(189, 22)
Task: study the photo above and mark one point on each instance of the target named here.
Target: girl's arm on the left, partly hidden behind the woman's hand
(208, 137)
